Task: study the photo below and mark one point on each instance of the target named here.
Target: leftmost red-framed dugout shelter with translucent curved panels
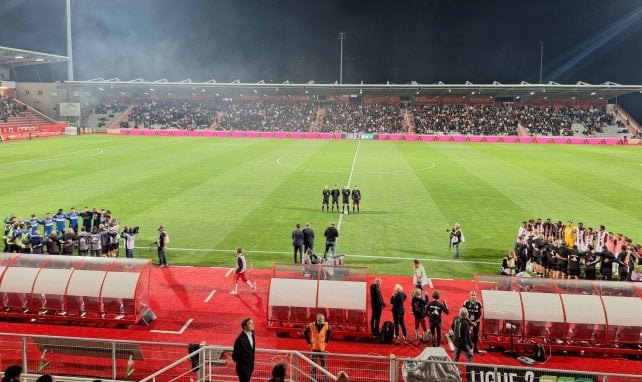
(74, 288)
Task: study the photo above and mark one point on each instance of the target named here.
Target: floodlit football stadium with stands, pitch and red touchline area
(371, 231)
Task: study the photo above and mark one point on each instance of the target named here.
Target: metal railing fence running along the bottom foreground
(81, 359)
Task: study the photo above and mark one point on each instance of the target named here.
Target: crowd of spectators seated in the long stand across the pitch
(496, 119)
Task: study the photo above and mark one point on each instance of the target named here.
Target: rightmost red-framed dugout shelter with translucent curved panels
(575, 315)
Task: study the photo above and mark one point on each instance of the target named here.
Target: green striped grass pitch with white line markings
(213, 195)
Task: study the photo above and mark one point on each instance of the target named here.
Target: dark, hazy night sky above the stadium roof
(277, 40)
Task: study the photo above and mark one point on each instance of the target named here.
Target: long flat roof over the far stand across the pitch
(580, 91)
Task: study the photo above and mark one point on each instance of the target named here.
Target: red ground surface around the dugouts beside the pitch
(193, 304)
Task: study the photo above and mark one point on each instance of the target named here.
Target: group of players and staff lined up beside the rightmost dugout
(558, 250)
